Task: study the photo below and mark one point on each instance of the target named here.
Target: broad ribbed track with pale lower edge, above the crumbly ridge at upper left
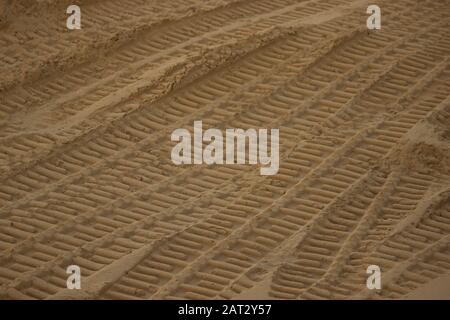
(171, 40)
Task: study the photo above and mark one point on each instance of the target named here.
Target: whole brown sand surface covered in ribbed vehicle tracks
(86, 176)
